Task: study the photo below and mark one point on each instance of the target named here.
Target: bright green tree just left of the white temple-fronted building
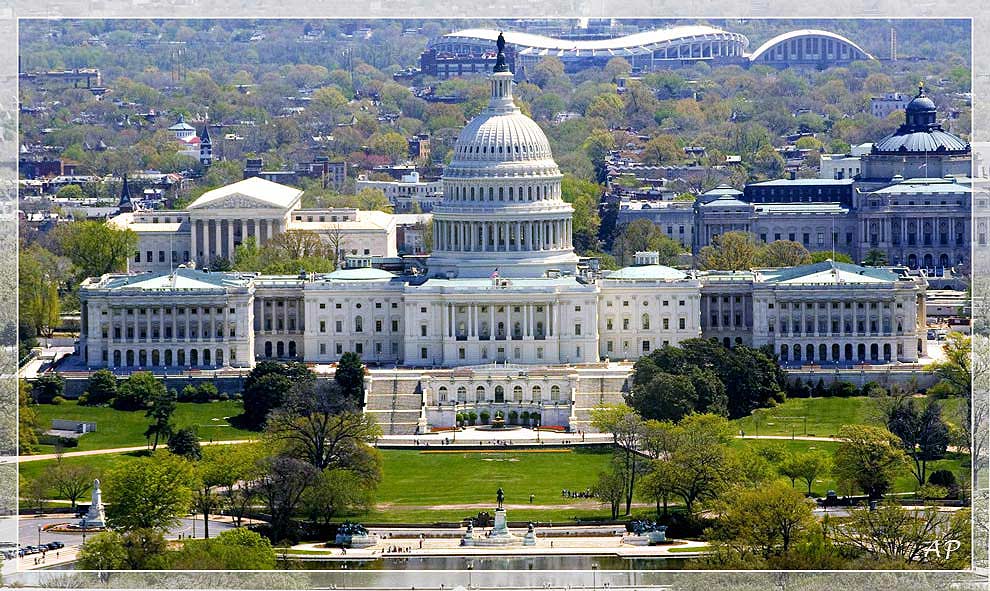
(95, 247)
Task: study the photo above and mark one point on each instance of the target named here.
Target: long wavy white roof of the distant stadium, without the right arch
(629, 44)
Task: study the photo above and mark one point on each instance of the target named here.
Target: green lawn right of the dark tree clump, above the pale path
(822, 417)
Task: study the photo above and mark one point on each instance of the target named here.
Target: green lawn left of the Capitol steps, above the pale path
(119, 428)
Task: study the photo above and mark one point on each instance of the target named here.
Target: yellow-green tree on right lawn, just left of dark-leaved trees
(870, 457)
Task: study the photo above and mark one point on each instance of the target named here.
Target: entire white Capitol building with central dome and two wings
(504, 319)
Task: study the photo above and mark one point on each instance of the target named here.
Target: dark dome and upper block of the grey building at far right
(920, 148)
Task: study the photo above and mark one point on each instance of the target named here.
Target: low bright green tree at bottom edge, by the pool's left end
(234, 549)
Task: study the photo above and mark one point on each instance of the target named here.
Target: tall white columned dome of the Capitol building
(502, 212)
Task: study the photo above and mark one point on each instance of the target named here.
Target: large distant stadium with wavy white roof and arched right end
(470, 51)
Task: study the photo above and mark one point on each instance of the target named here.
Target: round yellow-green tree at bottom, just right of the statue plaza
(766, 521)
